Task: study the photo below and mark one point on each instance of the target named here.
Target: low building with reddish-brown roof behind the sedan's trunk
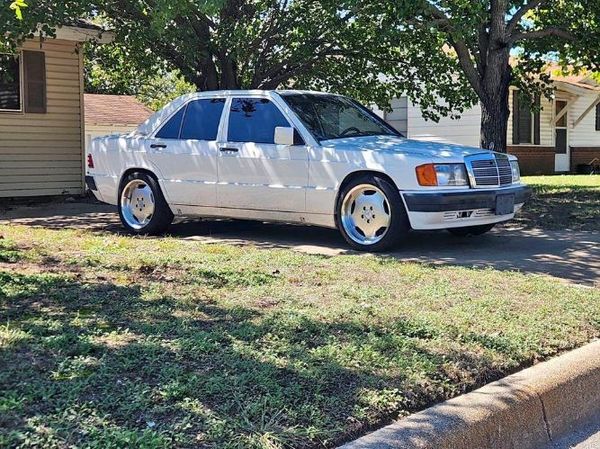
(112, 114)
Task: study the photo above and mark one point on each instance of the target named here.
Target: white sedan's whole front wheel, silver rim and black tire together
(370, 214)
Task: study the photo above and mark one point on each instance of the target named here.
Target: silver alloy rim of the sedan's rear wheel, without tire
(137, 204)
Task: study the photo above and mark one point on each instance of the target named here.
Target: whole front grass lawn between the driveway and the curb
(109, 341)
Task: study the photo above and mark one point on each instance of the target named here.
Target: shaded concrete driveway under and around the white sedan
(570, 256)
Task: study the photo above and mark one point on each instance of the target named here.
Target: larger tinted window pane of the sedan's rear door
(202, 119)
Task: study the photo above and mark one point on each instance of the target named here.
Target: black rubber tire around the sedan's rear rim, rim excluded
(162, 217)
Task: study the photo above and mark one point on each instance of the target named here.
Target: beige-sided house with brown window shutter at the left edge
(41, 119)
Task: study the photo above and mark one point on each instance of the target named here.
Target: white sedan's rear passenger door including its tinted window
(184, 151)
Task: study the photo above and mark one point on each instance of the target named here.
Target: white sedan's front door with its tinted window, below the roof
(254, 172)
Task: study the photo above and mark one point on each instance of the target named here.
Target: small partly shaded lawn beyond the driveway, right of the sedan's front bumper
(563, 202)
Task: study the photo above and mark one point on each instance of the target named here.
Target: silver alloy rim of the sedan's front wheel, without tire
(366, 214)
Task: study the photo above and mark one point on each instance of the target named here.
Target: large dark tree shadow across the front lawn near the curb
(102, 365)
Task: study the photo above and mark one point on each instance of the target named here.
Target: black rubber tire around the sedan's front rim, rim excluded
(399, 225)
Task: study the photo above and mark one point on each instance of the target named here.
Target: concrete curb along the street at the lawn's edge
(526, 410)
